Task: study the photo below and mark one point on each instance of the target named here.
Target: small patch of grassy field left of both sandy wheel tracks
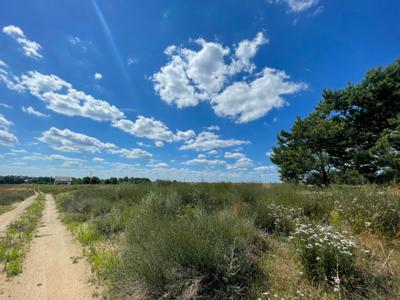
(12, 193)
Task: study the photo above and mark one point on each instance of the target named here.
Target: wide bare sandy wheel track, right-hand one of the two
(49, 272)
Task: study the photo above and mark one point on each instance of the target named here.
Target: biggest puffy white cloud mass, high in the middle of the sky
(192, 76)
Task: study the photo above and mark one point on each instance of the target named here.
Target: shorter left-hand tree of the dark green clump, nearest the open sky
(308, 153)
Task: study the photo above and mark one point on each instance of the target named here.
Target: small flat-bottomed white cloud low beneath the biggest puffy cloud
(207, 141)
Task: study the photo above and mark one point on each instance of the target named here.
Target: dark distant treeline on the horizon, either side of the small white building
(84, 180)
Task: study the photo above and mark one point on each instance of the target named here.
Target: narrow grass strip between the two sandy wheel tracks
(15, 241)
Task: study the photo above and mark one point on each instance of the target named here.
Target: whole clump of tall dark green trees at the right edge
(352, 137)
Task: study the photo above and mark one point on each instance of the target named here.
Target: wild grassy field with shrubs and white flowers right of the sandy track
(237, 241)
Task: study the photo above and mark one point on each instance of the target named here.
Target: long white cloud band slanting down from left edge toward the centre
(61, 97)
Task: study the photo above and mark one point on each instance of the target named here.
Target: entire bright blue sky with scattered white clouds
(174, 89)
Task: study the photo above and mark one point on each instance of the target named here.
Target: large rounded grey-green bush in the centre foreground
(211, 256)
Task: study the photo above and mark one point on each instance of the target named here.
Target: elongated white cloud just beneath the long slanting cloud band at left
(69, 141)
